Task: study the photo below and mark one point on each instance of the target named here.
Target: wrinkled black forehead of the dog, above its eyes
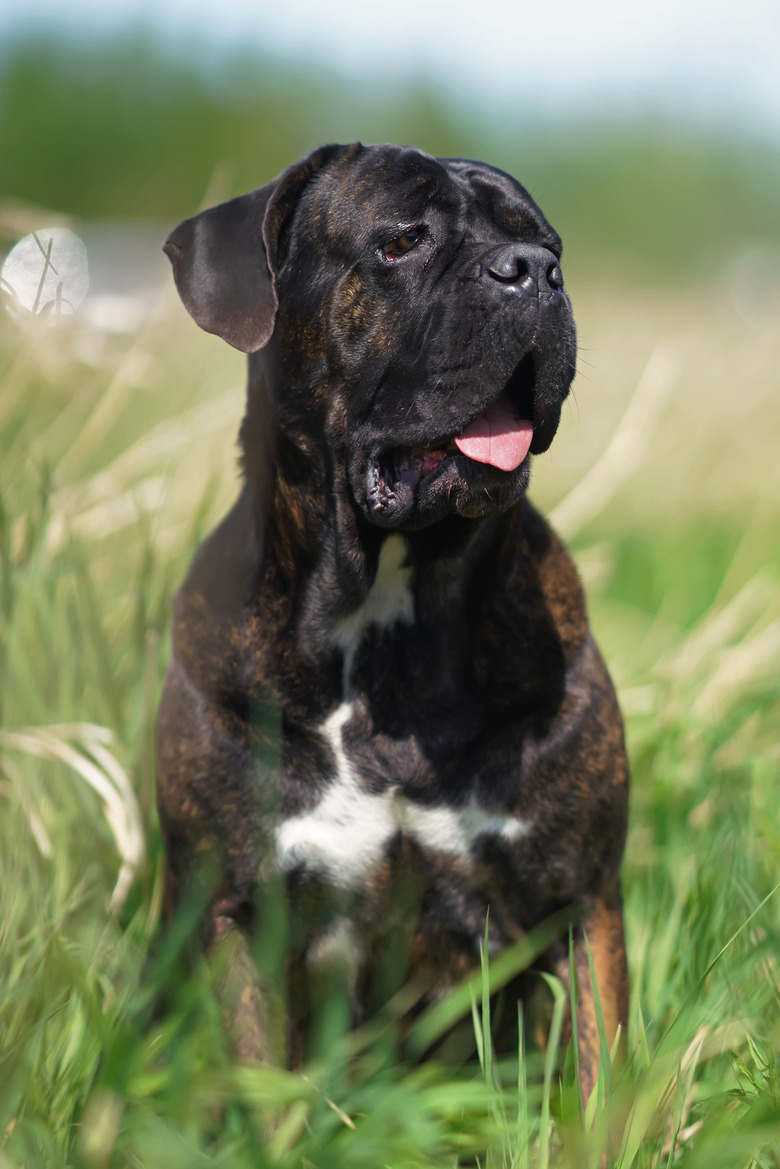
(392, 189)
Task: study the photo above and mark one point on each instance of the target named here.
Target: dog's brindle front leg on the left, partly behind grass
(210, 803)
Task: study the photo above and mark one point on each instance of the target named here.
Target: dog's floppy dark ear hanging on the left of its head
(224, 260)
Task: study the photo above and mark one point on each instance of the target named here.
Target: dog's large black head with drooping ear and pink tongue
(423, 338)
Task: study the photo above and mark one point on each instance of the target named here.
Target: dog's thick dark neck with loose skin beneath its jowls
(332, 573)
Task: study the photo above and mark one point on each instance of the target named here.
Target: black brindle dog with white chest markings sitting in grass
(384, 705)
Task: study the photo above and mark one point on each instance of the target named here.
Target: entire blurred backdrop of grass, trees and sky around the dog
(650, 134)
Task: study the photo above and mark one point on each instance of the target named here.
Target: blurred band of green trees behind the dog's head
(122, 127)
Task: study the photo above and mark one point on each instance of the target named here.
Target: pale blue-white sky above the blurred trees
(714, 60)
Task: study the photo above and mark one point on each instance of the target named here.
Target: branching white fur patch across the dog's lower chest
(346, 835)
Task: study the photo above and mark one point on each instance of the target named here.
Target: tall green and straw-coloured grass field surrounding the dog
(116, 458)
